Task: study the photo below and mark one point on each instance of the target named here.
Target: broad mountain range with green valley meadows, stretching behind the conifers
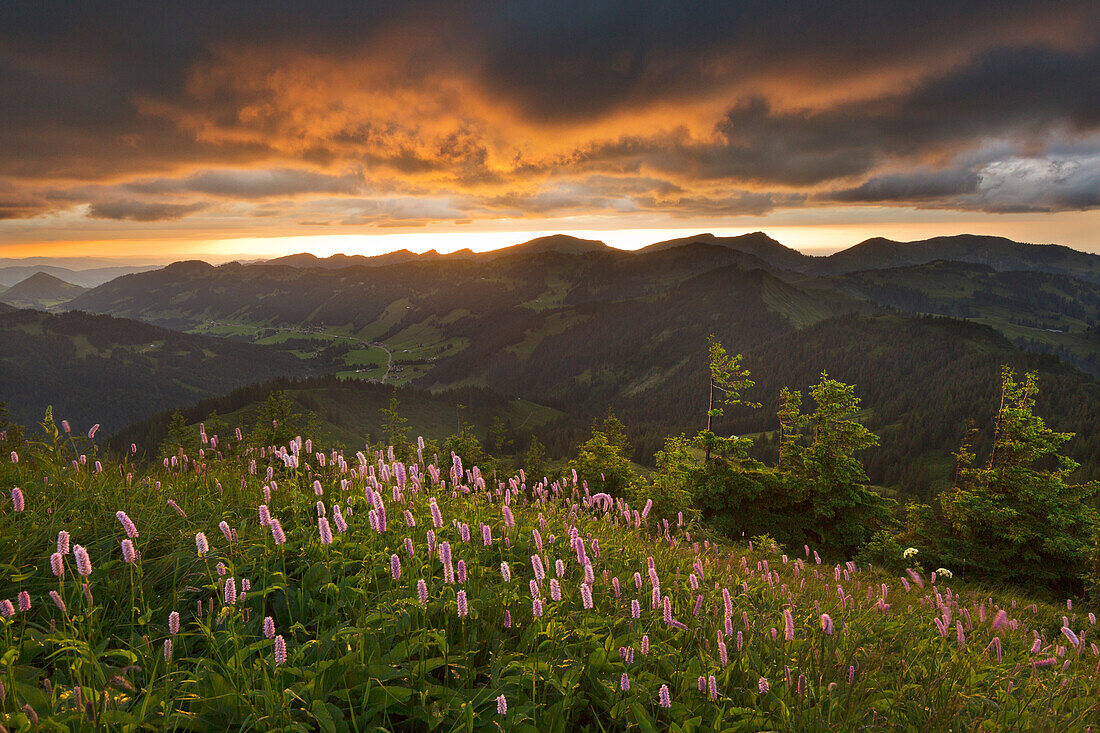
(921, 329)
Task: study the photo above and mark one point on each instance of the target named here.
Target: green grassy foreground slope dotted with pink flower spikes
(365, 654)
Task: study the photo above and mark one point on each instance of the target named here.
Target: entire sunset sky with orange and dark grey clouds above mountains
(151, 132)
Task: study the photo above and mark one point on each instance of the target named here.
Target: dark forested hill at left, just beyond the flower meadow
(114, 371)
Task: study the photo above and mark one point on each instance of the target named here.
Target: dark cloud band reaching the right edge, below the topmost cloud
(1025, 93)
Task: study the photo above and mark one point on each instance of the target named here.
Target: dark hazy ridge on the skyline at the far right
(997, 253)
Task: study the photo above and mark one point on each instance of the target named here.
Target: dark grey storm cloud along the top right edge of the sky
(576, 60)
